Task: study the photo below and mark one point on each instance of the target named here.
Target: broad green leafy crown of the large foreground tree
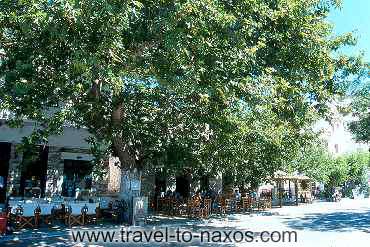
(232, 85)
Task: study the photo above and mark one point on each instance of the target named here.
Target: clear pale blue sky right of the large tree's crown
(354, 16)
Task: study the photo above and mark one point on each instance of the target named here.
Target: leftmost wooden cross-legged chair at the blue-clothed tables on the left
(27, 215)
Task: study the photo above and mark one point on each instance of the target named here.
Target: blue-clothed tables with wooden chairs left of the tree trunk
(40, 212)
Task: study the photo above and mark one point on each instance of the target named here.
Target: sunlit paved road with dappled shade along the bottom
(326, 224)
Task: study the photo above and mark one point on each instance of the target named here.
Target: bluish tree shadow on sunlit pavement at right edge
(344, 221)
